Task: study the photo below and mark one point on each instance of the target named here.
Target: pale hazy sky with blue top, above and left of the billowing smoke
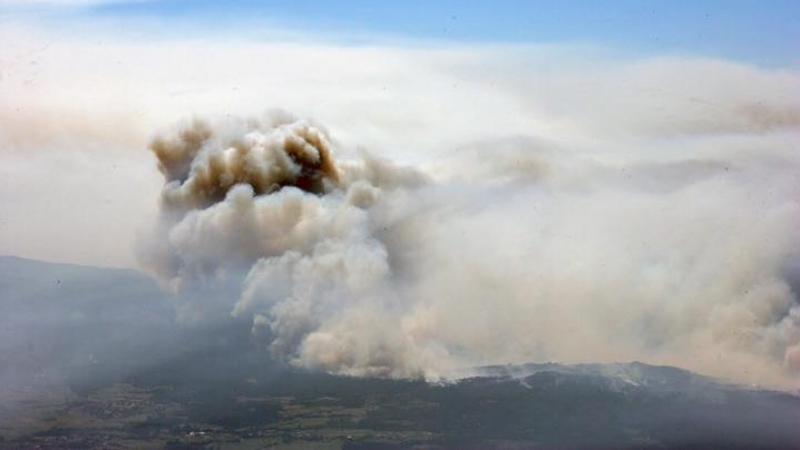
(85, 83)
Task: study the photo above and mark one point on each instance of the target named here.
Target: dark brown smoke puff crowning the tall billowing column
(203, 167)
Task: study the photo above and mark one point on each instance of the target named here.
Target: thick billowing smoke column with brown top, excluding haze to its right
(266, 198)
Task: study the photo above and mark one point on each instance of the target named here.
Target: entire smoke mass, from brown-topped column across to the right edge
(513, 250)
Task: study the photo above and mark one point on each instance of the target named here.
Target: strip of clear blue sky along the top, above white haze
(758, 31)
